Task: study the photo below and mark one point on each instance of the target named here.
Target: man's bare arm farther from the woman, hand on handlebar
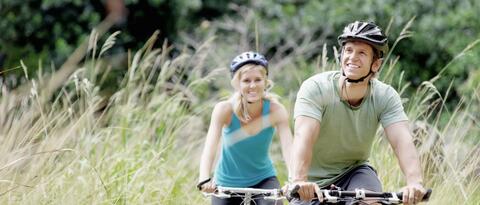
(401, 141)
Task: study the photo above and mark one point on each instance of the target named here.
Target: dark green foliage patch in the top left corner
(50, 28)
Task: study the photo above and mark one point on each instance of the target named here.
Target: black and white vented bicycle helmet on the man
(365, 32)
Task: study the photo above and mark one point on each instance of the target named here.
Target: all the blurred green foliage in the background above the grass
(34, 30)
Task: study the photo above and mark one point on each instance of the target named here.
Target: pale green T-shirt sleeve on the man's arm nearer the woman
(308, 102)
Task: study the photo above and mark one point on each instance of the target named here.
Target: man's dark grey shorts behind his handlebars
(364, 176)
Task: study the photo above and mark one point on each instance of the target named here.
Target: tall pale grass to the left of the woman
(80, 148)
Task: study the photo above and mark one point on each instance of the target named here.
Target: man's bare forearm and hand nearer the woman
(306, 133)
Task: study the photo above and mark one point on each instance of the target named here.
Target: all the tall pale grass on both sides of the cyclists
(141, 144)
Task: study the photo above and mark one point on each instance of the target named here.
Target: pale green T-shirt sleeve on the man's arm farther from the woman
(393, 111)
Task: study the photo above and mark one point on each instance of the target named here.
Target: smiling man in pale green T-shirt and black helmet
(336, 117)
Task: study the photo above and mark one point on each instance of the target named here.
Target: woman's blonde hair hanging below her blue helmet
(239, 102)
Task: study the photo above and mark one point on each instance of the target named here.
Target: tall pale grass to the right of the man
(446, 140)
